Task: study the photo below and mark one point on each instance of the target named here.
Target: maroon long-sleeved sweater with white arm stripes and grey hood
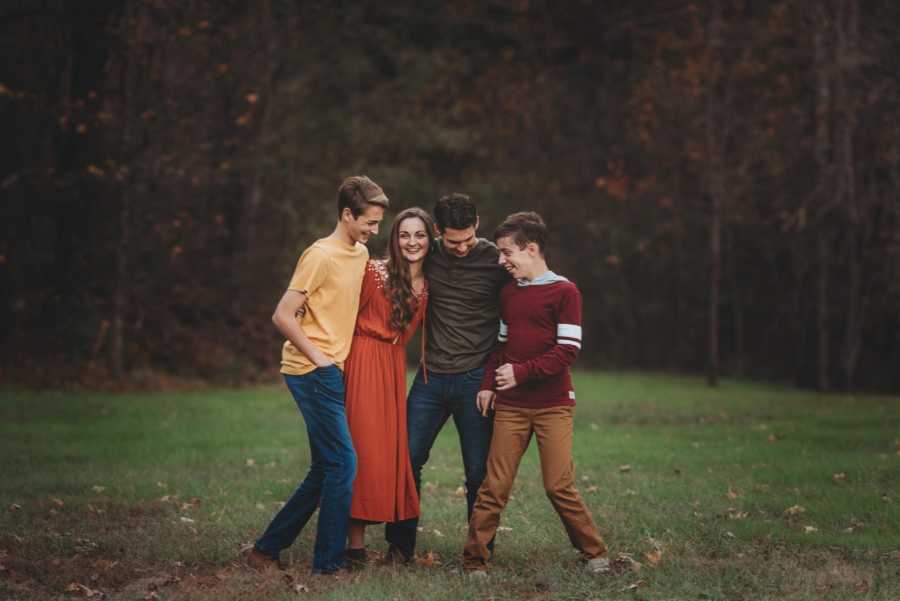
(540, 335)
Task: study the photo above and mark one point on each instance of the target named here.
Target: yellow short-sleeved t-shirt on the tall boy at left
(330, 273)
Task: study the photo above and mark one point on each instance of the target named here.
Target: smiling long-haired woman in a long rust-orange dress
(375, 376)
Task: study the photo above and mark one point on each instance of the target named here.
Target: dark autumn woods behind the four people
(721, 177)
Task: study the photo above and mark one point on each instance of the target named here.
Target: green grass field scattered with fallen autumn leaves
(744, 492)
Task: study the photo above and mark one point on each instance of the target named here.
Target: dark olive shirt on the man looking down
(463, 307)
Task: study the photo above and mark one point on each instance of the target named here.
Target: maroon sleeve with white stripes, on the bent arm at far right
(568, 342)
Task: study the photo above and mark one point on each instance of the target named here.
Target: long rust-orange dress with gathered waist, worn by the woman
(375, 382)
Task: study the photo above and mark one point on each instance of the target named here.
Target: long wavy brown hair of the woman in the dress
(399, 289)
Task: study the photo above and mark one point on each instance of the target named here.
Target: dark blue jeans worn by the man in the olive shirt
(428, 408)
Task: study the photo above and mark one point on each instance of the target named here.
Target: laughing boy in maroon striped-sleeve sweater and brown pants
(528, 384)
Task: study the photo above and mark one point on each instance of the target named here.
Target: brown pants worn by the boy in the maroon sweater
(513, 427)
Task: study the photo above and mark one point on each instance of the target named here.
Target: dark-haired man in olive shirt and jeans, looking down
(464, 279)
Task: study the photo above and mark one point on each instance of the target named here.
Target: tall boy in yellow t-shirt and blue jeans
(316, 315)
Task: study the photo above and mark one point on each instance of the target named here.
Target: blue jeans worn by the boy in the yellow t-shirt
(329, 483)
